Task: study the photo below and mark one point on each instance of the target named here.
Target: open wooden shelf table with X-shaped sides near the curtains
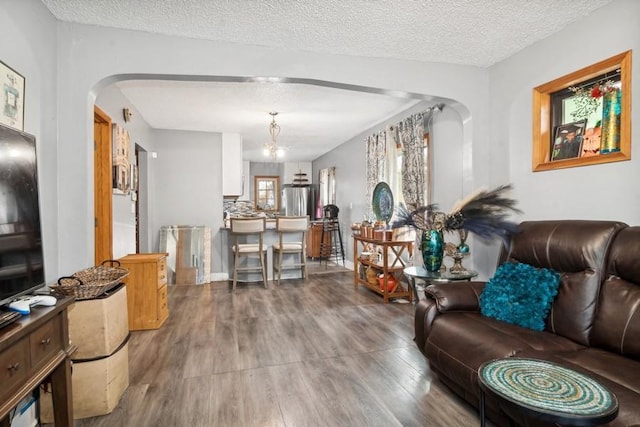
(390, 264)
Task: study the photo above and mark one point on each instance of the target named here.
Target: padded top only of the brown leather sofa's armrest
(456, 296)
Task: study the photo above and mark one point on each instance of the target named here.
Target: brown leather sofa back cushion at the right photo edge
(617, 323)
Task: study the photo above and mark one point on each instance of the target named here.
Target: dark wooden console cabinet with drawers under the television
(33, 348)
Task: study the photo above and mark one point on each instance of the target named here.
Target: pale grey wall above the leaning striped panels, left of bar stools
(188, 182)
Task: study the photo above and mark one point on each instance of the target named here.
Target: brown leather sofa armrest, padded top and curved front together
(443, 297)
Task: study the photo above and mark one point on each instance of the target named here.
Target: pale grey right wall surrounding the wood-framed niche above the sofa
(606, 191)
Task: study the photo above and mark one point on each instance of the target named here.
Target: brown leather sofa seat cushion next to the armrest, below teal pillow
(461, 341)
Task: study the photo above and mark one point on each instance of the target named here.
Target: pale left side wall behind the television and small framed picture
(29, 46)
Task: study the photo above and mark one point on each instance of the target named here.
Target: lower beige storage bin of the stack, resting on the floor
(97, 386)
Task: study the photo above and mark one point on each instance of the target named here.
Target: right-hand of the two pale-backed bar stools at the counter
(287, 226)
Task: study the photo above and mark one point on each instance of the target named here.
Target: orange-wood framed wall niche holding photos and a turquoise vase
(584, 118)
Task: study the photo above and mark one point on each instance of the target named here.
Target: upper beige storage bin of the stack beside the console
(99, 326)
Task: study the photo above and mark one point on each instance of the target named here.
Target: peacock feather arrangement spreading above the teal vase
(484, 213)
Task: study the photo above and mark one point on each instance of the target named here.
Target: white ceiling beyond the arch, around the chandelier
(313, 119)
